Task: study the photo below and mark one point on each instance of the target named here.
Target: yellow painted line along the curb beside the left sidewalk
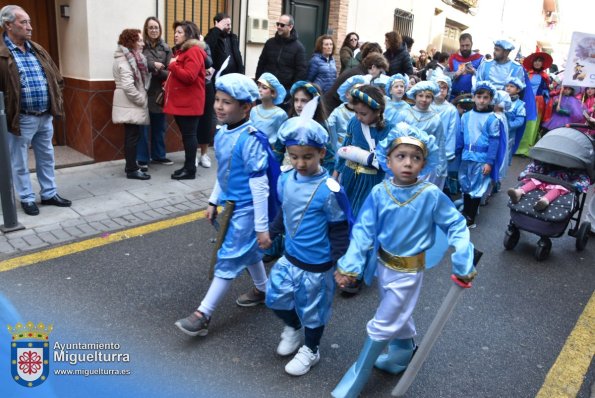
(106, 239)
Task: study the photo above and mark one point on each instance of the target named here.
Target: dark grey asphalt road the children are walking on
(501, 340)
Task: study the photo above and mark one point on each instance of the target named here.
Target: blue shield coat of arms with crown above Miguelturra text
(30, 359)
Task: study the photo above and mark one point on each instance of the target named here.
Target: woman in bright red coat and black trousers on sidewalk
(185, 91)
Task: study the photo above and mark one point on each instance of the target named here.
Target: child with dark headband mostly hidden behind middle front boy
(301, 93)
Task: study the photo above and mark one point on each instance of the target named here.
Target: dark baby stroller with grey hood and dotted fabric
(564, 147)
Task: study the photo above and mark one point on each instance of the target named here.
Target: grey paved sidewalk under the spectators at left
(104, 200)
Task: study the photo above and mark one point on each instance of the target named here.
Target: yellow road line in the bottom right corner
(567, 374)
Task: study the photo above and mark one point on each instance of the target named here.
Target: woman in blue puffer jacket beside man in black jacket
(322, 69)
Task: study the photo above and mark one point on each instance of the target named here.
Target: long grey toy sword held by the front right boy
(433, 331)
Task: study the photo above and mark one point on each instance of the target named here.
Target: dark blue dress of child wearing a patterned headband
(358, 186)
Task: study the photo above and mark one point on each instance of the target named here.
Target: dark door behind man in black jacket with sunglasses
(311, 20)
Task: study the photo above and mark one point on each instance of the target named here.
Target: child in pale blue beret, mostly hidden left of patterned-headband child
(339, 118)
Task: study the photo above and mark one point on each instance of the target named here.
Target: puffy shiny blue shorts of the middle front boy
(309, 293)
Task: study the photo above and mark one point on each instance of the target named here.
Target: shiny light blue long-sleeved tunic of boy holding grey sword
(406, 229)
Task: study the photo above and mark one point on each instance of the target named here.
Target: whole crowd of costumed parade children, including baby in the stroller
(361, 194)
